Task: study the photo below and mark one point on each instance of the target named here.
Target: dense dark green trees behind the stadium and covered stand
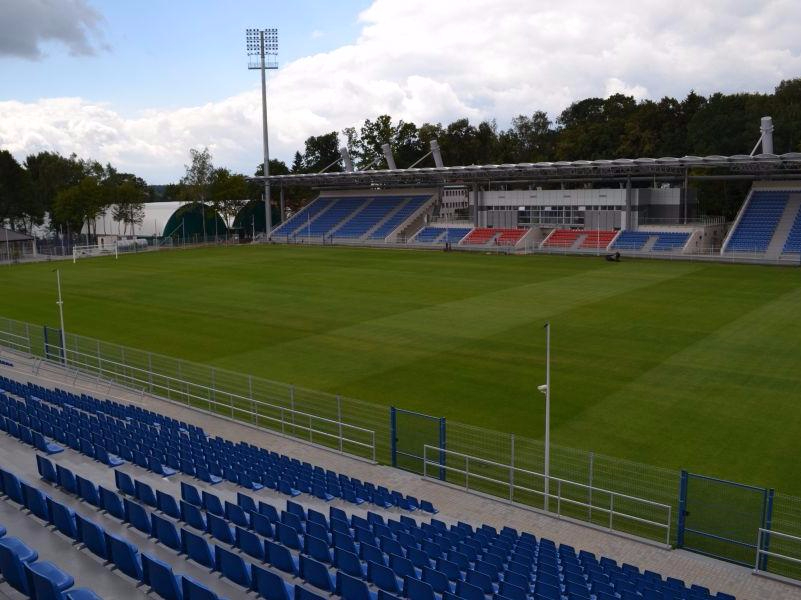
(74, 190)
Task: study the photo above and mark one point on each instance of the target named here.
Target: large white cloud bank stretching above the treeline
(435, 61)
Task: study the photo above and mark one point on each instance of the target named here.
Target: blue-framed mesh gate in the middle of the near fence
(411, 432)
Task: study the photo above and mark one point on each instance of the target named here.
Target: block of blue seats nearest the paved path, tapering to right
(152, 441)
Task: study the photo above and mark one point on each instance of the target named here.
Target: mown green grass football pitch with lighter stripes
(674, 364)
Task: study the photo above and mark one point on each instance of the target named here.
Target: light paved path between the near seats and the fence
(454, 504)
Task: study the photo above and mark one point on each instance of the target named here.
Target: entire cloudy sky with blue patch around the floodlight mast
(139, 82)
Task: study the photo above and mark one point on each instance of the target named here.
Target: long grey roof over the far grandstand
(760, 165)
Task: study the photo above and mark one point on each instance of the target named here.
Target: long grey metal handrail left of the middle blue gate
(98, 368)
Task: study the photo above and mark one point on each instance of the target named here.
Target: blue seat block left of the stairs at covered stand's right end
(758, 222)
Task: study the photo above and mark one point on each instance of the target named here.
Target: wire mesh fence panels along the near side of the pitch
(362, 429)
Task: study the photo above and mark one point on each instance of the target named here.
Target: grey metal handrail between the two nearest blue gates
(440, 465)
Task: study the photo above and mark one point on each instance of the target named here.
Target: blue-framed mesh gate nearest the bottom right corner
(721, 518)
